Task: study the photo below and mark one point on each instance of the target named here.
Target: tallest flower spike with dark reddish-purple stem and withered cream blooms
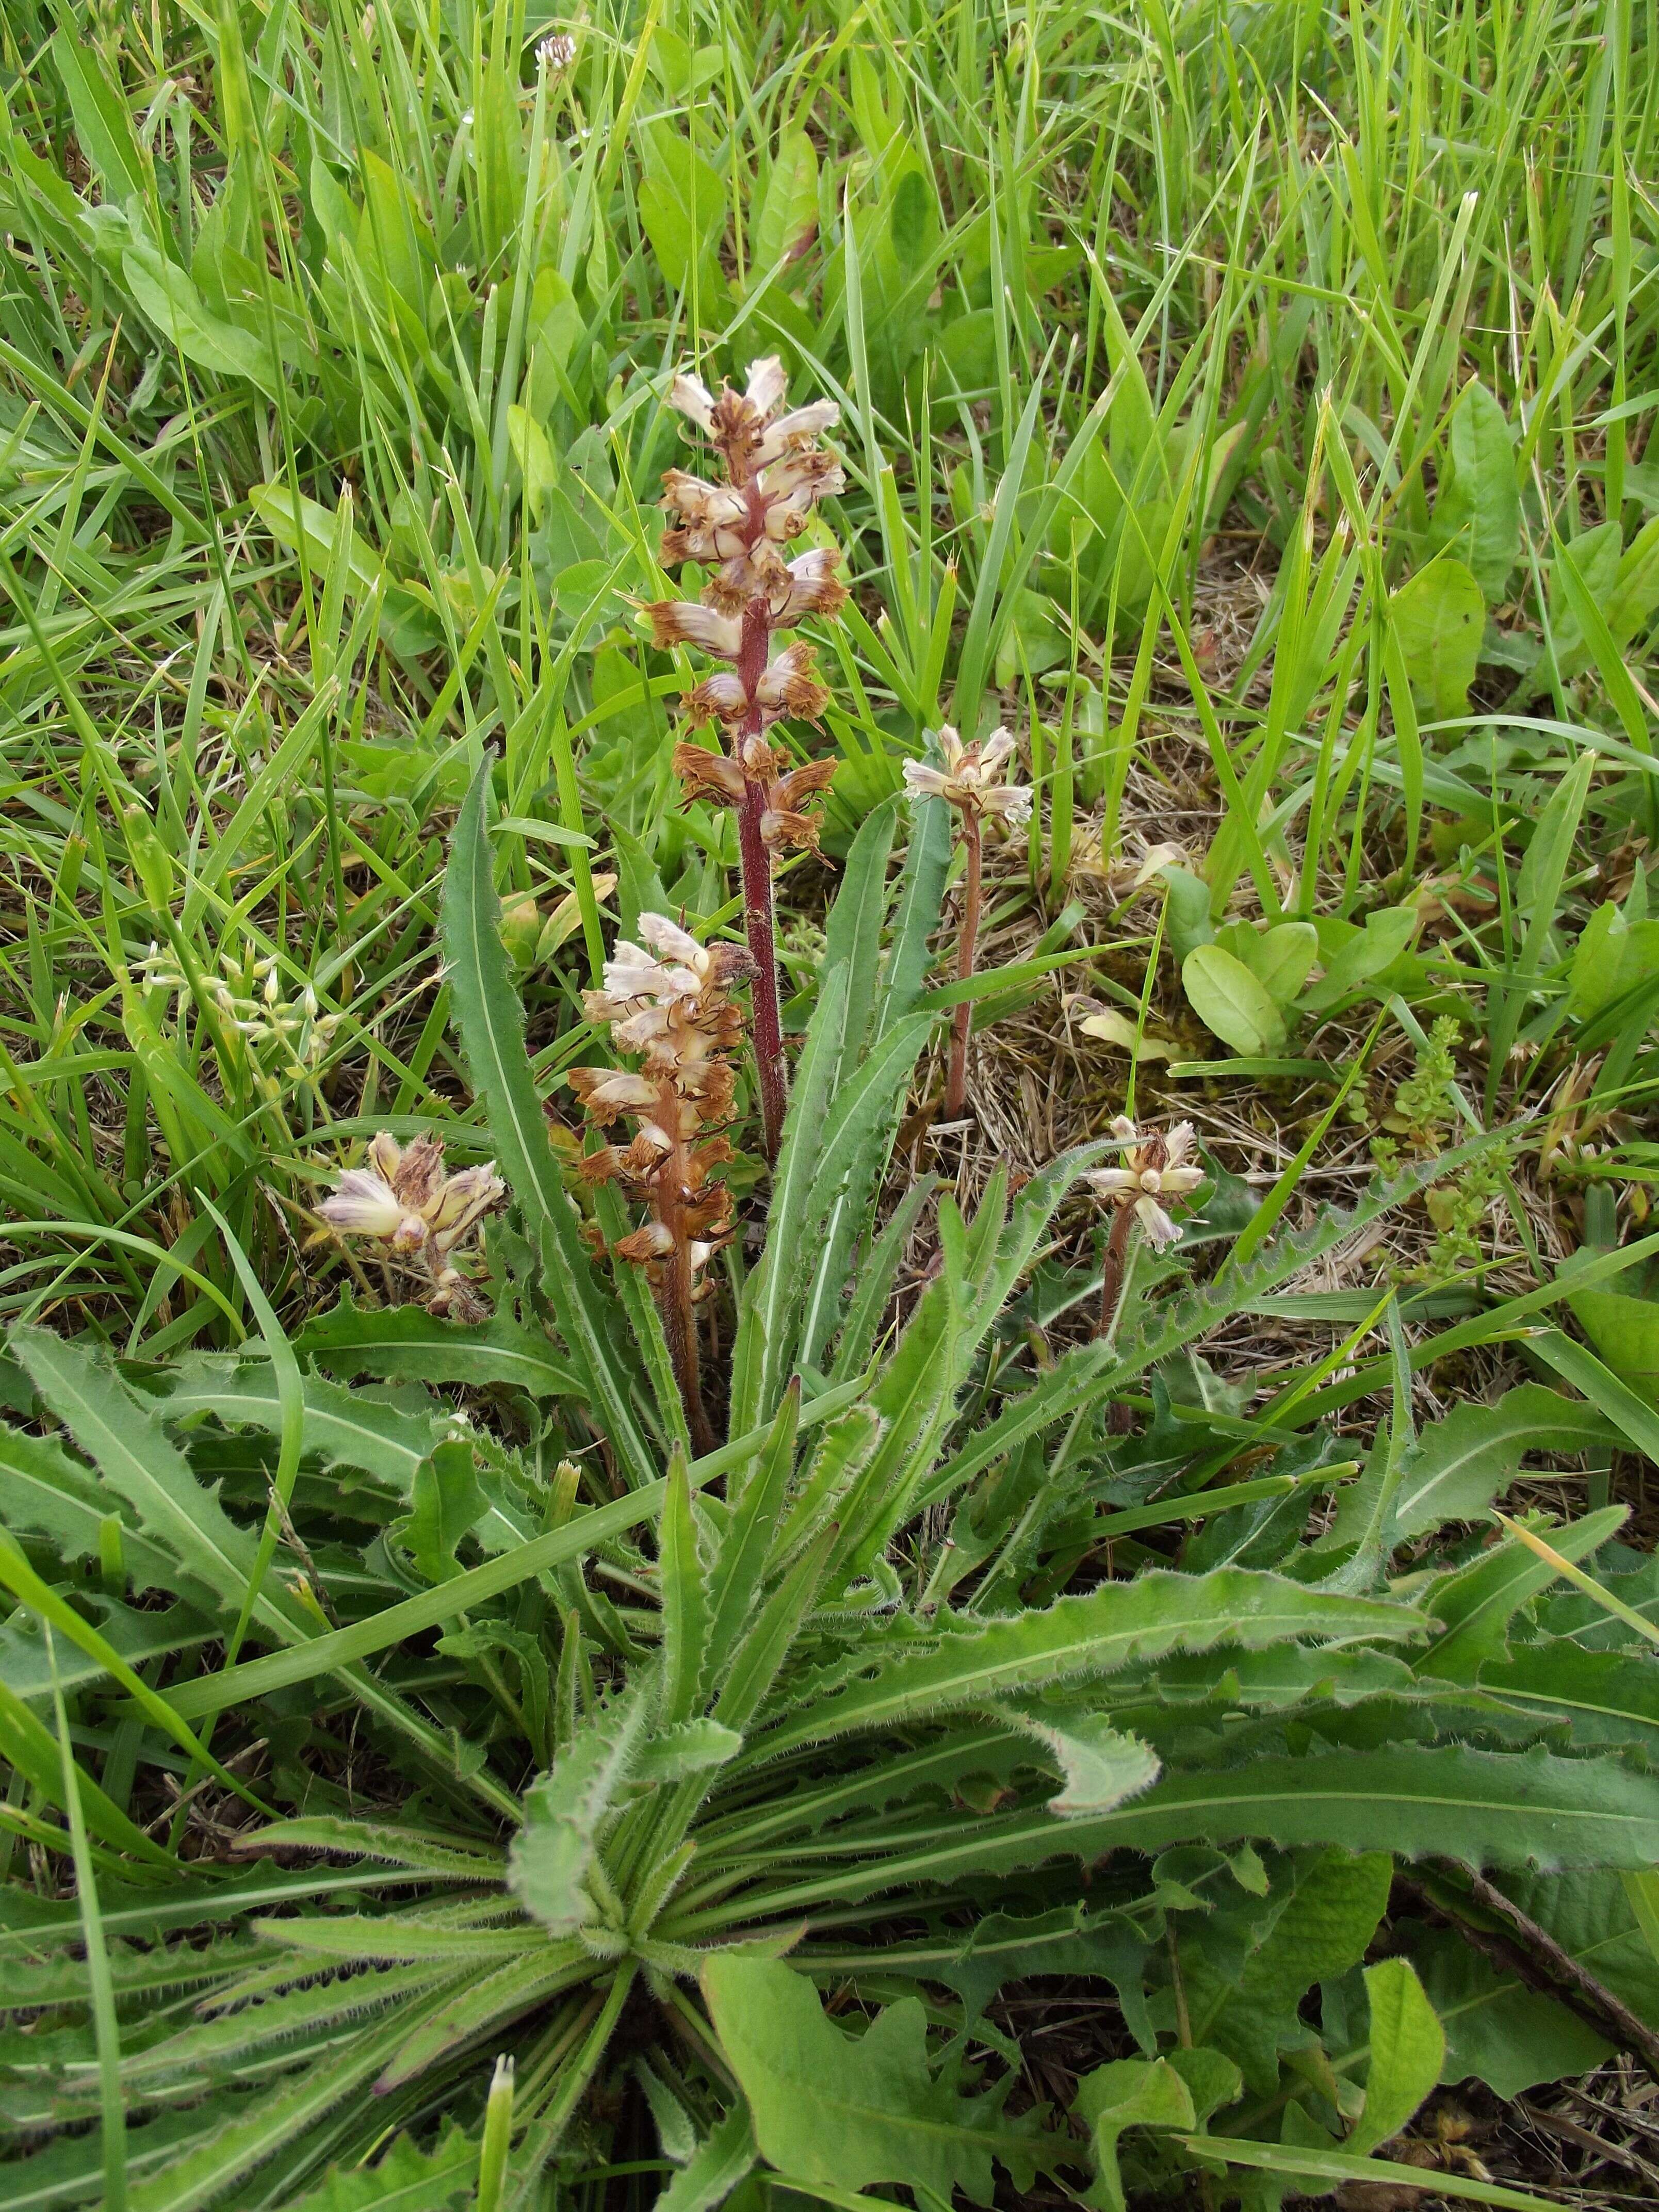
(775, 477)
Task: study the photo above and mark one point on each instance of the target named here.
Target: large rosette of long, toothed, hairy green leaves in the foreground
(359, 1744)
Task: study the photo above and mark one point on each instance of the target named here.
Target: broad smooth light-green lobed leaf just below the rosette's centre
(851, 2111)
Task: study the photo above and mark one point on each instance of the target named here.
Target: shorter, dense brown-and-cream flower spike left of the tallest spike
(669, 1003)
